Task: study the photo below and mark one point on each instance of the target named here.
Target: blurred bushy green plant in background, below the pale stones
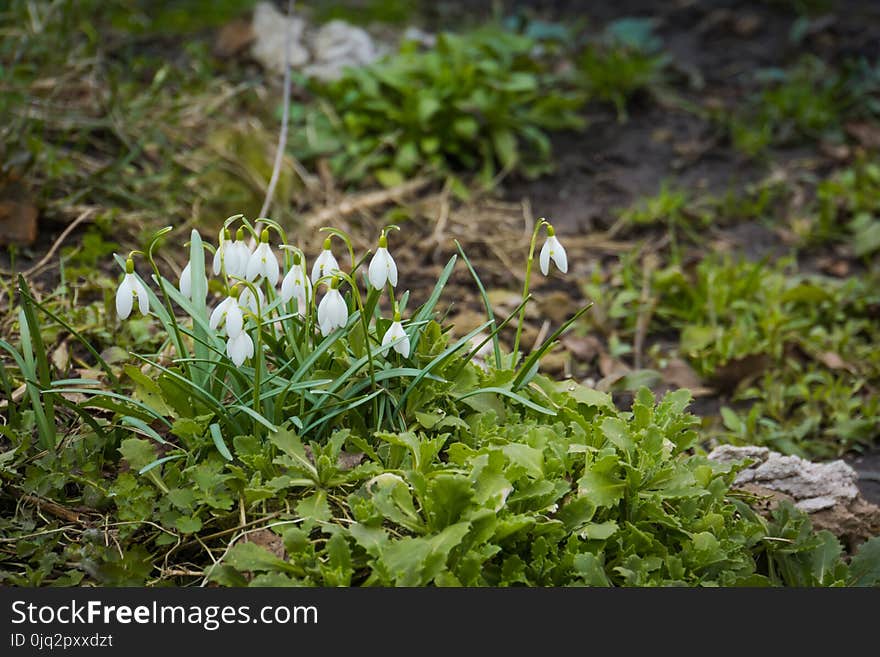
(478, 102)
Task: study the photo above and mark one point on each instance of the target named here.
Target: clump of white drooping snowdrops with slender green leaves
(285, 345)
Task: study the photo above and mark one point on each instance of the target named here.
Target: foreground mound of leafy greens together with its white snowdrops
(328, 454)
